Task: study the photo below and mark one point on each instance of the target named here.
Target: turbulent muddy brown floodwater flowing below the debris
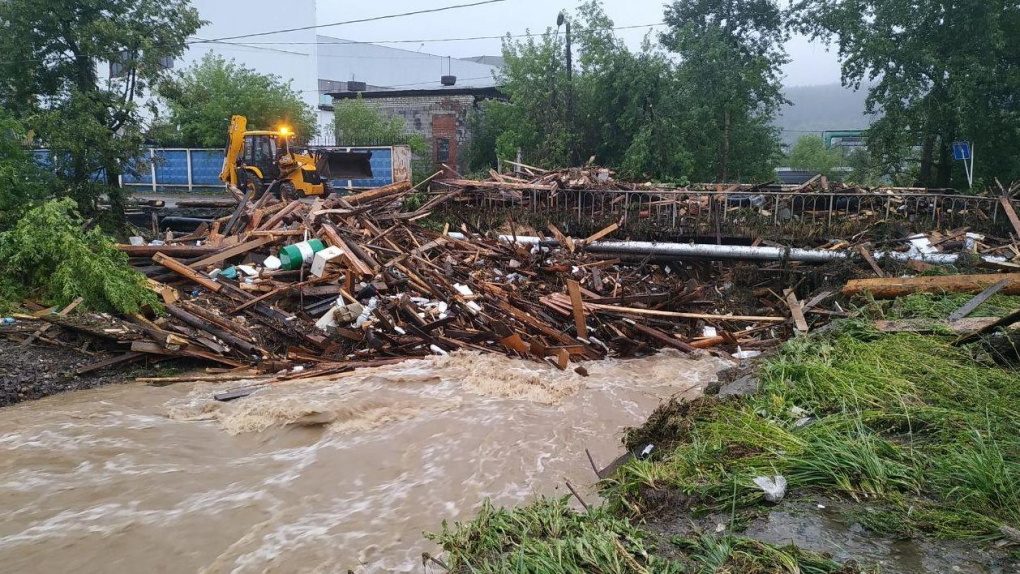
(320, 478)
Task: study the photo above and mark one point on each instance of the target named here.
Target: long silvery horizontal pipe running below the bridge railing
(748, 253)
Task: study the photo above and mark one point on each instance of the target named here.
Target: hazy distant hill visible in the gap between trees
(822, 109)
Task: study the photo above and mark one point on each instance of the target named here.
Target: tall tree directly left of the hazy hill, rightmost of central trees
(732, 55)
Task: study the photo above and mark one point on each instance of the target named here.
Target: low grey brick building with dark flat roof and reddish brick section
(440, 116)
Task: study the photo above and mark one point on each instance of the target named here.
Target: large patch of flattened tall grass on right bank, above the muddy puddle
(905, 422)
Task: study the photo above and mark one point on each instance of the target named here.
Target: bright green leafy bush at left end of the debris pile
(48, 256)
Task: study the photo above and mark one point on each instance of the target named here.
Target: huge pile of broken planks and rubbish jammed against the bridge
(323, 287)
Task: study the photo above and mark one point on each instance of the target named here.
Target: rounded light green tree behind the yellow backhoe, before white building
(202, 99)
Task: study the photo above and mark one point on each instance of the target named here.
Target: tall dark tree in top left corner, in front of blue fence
(49, 79)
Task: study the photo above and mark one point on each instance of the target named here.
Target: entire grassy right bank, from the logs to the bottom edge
(921, 438)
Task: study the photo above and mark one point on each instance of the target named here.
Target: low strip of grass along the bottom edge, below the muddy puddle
(549, 538)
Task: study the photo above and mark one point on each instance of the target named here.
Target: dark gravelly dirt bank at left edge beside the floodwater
(35, 372)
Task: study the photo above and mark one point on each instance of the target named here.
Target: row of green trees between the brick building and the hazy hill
(646, 113)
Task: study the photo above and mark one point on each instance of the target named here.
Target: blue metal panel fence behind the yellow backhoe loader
(183, 169)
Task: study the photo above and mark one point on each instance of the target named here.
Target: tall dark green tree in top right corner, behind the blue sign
(942, 72)
